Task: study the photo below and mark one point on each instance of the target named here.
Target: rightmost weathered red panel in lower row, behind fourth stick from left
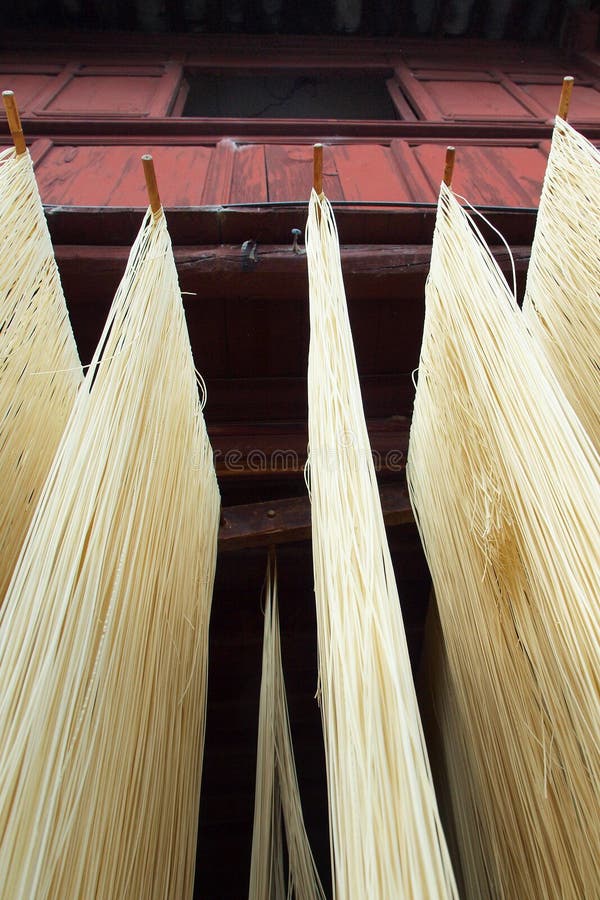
(506, 176)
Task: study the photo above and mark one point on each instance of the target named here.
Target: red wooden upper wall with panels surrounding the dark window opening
(89, 116)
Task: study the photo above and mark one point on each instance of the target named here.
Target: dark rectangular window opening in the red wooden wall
(289, 96)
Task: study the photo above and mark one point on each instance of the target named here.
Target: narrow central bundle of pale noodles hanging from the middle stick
(385, 831)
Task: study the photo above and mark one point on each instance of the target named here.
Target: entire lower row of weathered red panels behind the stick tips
(111, 175)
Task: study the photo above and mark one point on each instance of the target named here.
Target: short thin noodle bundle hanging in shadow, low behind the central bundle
(277, 792)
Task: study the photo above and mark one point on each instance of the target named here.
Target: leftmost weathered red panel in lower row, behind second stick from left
(112, 176)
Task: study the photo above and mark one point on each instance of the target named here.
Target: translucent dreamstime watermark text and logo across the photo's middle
(288, 460)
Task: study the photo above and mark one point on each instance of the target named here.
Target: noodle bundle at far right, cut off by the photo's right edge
(562, 299)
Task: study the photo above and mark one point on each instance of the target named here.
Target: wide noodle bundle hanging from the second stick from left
(103, 638)
